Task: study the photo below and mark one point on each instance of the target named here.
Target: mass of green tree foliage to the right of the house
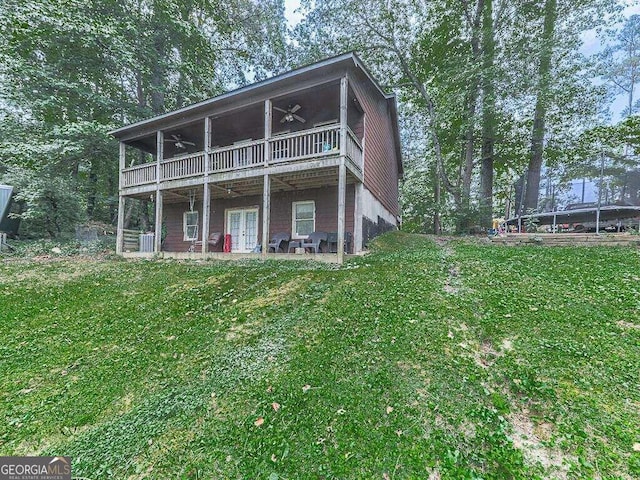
(437, 58)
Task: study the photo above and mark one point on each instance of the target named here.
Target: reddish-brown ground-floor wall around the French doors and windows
(326, 202)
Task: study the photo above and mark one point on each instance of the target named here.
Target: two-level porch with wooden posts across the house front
(235, 172)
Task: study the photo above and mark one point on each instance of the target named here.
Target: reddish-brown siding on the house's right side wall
(380, 162)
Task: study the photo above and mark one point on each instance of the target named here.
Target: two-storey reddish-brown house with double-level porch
(312, 150)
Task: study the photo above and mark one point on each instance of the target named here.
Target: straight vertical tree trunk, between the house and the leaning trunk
(488, 117)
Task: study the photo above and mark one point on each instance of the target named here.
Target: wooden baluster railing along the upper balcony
(292, 147)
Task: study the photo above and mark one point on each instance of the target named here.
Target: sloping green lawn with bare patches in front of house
(428, 358)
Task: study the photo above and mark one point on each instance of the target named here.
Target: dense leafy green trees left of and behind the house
(73, 70)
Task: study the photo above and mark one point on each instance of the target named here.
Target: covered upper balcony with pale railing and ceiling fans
(292, 132)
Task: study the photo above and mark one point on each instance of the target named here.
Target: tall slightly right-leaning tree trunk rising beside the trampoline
(537, 136)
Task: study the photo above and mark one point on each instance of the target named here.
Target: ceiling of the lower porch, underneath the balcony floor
(286, 182)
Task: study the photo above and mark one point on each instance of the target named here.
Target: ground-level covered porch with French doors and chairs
(197, 221)
